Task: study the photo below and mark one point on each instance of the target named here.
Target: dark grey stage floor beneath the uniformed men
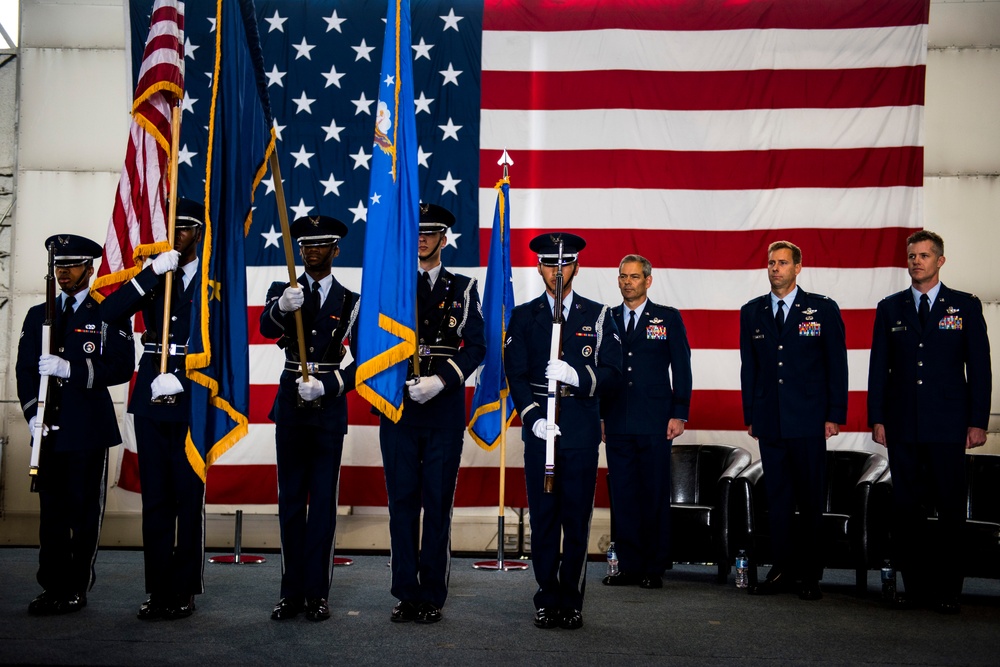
(487, 621)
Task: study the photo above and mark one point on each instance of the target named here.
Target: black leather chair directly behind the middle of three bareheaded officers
(853, 530)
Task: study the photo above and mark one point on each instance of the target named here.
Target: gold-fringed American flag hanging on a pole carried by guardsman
(138, 226)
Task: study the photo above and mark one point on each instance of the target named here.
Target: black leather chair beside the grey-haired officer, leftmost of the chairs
(701, 477)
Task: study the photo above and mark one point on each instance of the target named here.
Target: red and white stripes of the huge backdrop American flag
(693, 133)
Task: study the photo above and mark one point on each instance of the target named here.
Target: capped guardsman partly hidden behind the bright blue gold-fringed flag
(422, 452)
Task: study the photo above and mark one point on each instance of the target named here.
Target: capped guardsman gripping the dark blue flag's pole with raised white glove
(310, 417)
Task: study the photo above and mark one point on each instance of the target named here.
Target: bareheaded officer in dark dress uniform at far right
(929, 392)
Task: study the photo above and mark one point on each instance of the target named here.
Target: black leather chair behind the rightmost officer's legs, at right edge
(981, 540)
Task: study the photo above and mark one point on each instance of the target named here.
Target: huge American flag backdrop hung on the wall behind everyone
(693, 132)
